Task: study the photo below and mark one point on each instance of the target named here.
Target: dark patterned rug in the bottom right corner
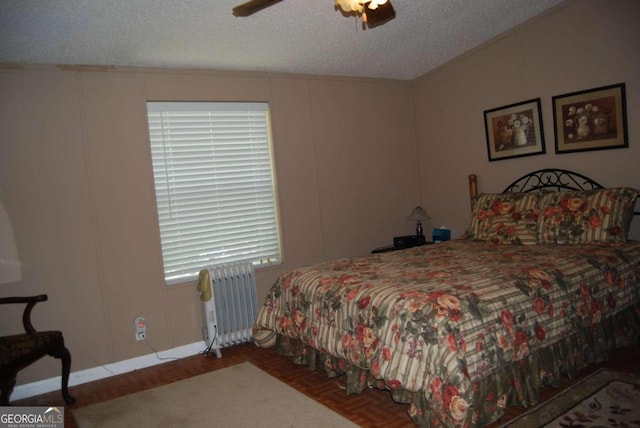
(606, 398)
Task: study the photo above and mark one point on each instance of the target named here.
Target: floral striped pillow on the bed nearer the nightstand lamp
(505, 218)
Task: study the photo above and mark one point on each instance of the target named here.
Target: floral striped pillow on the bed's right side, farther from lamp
(576, 217)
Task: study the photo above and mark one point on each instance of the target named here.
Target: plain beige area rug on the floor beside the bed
(236, 396)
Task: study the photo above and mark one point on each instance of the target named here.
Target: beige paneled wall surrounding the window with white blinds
(76, 178)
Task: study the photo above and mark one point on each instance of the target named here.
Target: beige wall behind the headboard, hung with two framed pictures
(582, 45)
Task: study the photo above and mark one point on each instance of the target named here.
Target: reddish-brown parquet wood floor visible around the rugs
(373, 408)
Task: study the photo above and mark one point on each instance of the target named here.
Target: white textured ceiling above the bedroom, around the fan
(293, 36)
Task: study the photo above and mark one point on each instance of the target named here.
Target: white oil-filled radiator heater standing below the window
(229, 304)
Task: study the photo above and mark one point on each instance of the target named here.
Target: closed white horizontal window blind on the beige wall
(214, 185)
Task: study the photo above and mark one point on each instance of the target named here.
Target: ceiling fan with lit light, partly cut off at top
(373, 12)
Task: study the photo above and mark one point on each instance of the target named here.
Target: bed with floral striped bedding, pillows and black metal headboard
(543, 282)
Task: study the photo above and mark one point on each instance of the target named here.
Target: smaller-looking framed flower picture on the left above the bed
(515, 130)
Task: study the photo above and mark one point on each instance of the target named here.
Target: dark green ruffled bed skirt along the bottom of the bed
(517, 384)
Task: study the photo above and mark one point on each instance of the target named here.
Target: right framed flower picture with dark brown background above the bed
(595, 119)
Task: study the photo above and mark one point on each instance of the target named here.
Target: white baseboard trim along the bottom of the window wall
(107, 370)
